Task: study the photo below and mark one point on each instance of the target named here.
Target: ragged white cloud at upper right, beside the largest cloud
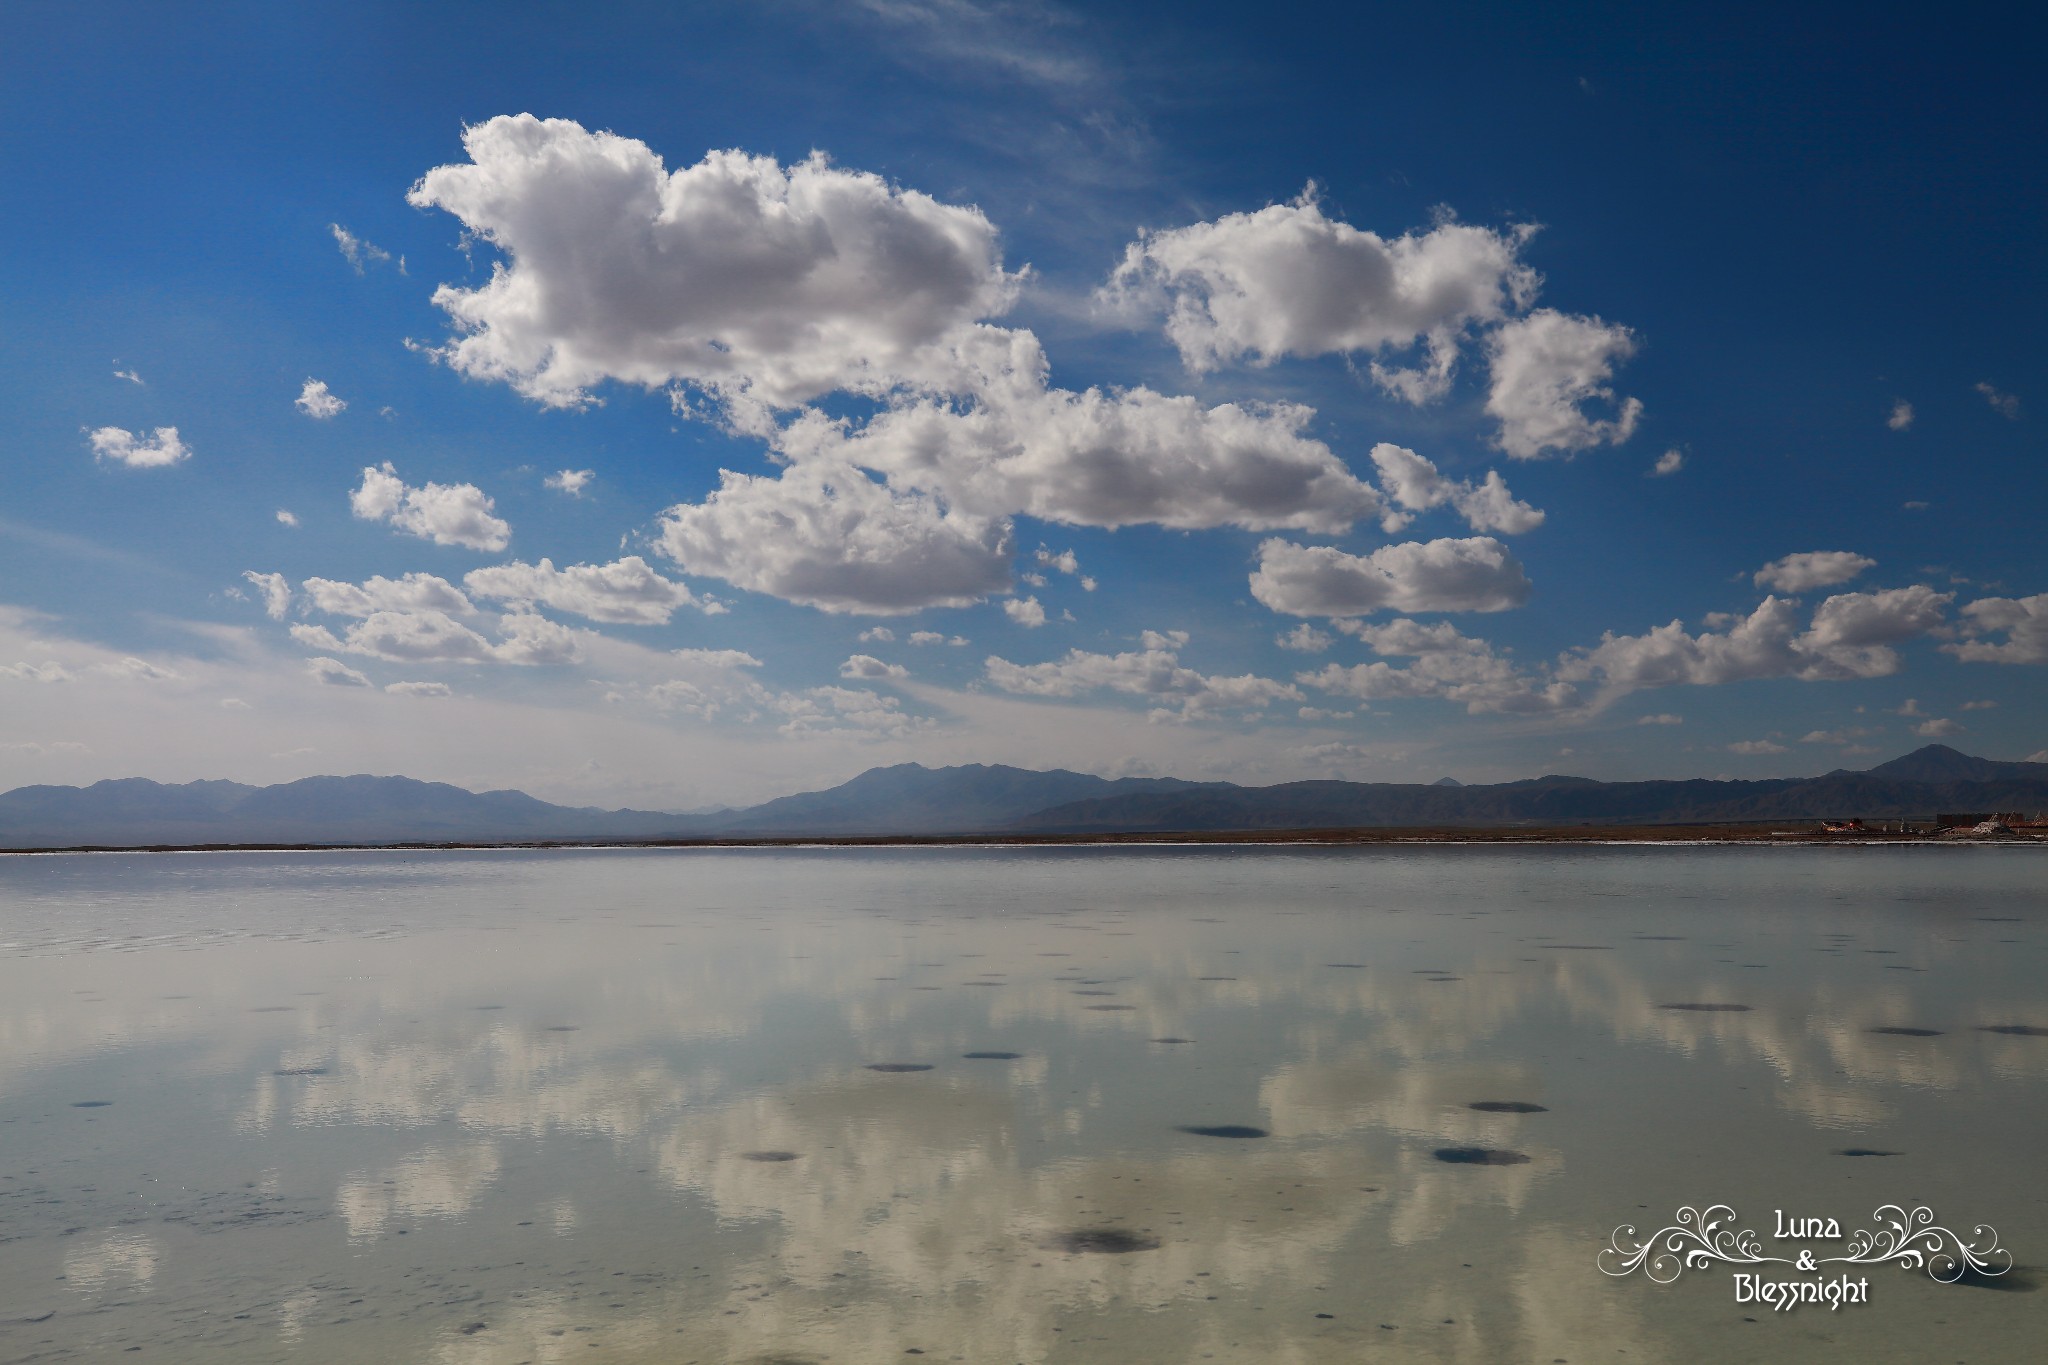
(1289, 281)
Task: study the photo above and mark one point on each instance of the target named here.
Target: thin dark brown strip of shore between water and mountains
(1689, 836)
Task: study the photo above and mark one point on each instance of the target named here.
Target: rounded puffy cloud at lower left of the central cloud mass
(835, 539)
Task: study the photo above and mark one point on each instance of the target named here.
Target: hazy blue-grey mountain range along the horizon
(908, 801)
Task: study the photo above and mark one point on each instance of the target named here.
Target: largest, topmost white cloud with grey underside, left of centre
(738, 273)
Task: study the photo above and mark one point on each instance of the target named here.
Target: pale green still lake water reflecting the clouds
(359, 1104)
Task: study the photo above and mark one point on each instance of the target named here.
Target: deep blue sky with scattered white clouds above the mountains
(677, 406)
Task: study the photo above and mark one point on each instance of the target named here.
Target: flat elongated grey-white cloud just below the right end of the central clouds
(1420, 576)
